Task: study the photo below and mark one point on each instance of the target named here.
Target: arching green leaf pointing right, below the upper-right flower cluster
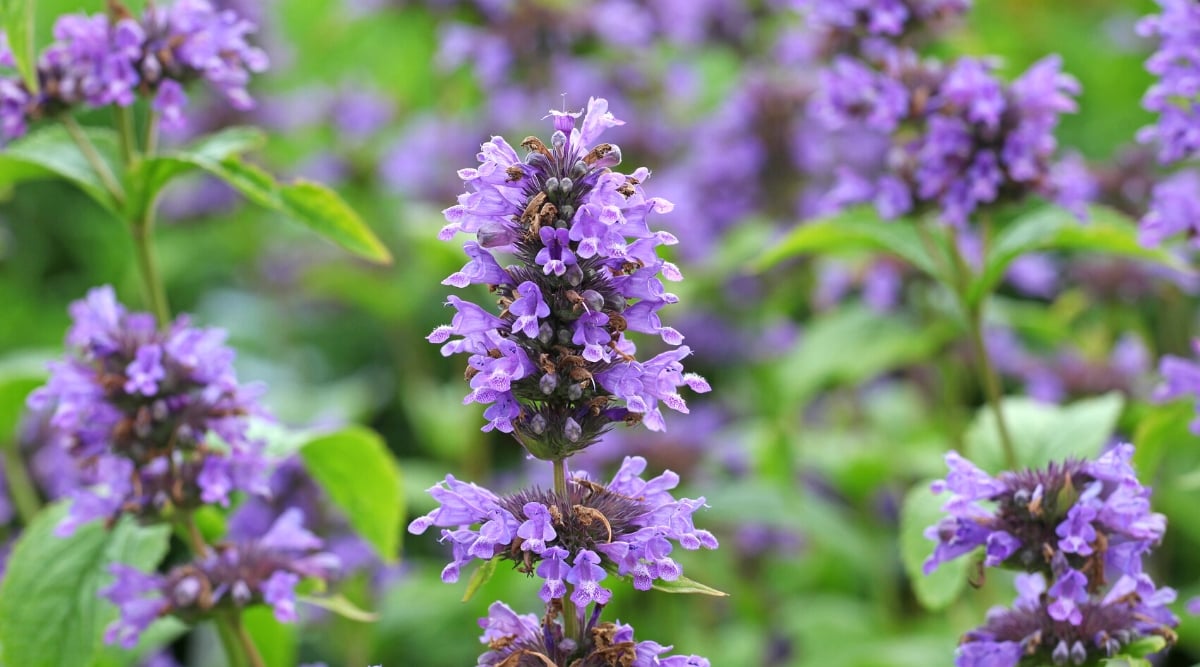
(1052, 229)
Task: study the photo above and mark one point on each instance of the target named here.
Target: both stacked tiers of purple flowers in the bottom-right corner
(1075, 526)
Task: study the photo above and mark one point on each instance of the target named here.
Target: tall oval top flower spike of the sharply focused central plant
(555, 363)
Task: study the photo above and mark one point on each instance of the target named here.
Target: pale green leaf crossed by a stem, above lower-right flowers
(1042, 432)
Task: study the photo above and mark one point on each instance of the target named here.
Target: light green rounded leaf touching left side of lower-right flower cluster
(922, 509)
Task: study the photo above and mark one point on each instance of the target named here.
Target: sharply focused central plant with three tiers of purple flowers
(556, 370)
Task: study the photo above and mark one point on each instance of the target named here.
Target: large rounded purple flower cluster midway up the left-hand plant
(154, 419)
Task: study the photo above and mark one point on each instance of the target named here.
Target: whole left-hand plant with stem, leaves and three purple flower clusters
(147, 412)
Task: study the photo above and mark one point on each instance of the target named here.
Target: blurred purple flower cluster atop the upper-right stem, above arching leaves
(962, 137)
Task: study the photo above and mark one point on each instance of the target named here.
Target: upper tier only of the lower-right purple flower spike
(1093, 515)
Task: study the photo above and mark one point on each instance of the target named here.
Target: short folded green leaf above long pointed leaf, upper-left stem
(157, 173)
